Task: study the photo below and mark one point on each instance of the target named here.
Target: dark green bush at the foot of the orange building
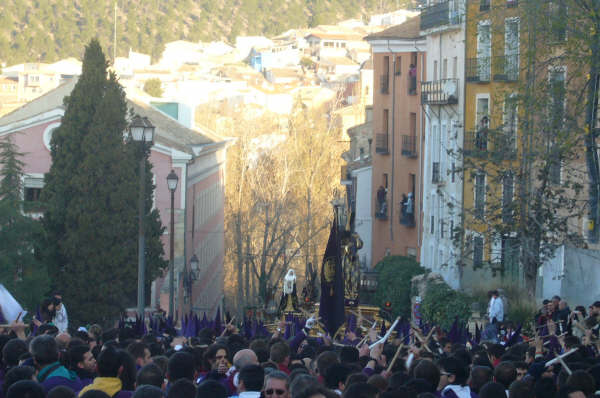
(393, 283)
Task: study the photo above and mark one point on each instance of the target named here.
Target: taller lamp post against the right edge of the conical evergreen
(141, 131)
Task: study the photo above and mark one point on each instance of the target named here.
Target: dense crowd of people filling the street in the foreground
(559, 360)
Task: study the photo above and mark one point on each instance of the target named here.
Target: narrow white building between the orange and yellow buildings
(443, 97)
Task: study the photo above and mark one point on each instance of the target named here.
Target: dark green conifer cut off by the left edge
(20, 271)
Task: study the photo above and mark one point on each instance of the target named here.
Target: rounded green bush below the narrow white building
(442, 305)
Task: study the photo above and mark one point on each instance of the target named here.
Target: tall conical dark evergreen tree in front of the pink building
(91, 198)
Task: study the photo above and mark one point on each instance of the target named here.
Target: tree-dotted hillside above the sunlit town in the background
(48, 30)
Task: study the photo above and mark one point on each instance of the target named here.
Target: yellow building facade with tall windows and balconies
(493, 70)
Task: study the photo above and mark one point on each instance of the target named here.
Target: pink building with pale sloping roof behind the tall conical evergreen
(198, 159)
